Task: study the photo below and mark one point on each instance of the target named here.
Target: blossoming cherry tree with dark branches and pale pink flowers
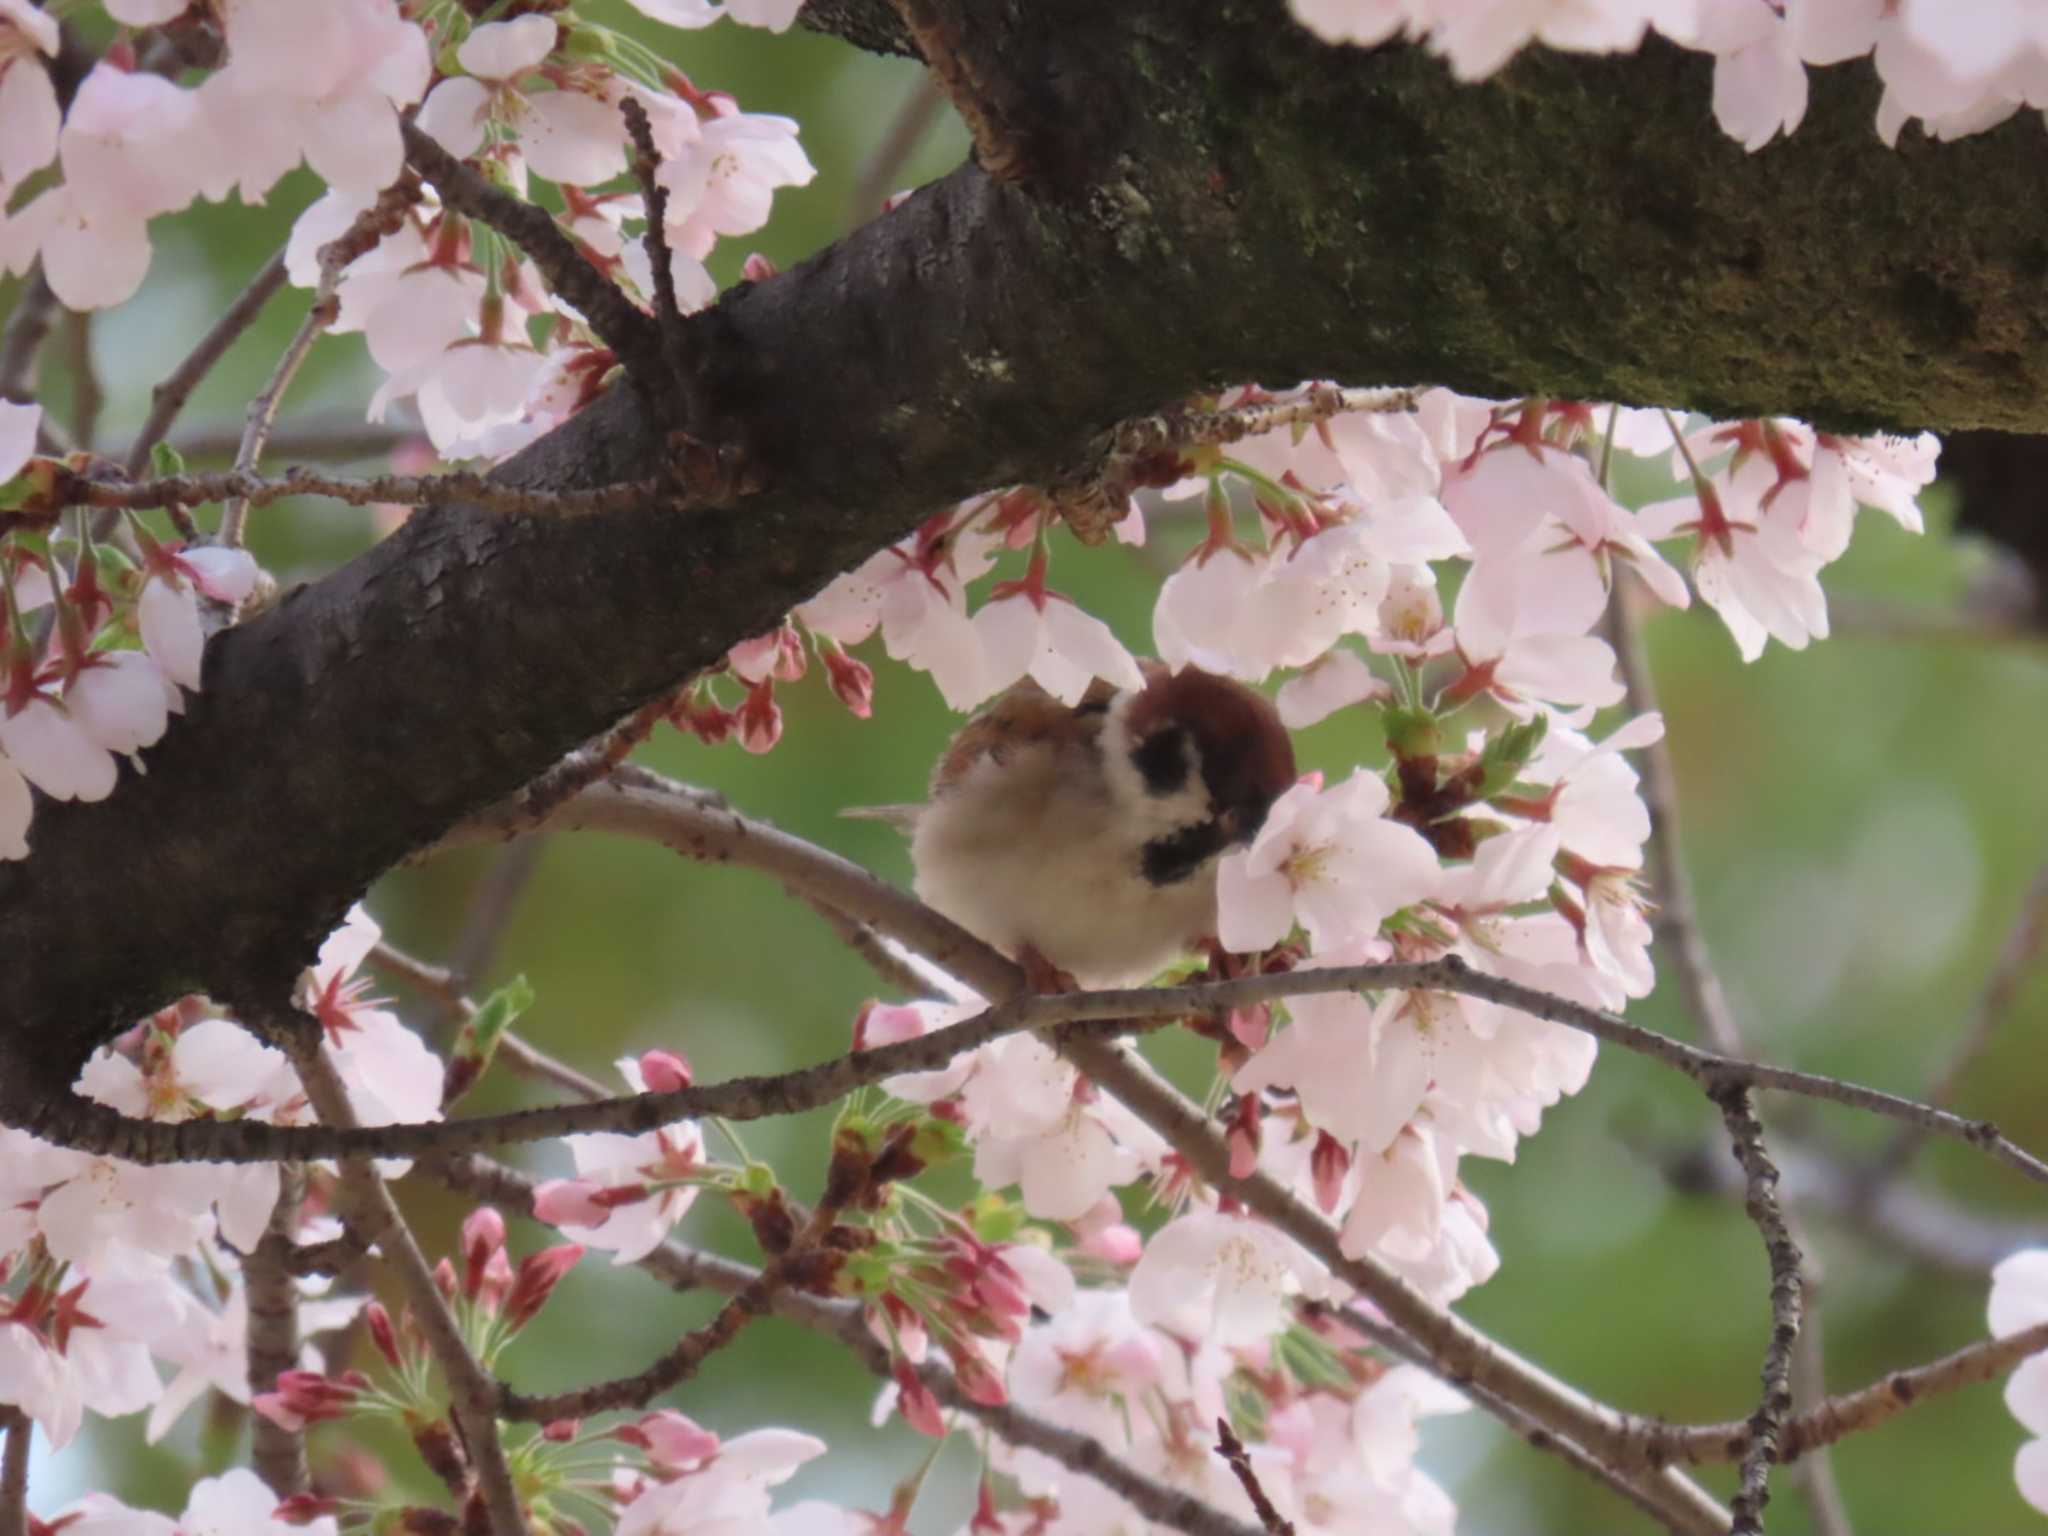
(1455, 337)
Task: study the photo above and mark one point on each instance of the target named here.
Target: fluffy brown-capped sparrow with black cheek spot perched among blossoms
(1084, 841)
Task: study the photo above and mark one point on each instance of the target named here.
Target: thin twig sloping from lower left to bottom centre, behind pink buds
(685, 1269)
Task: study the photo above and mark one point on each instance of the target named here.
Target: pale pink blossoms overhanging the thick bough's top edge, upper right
(1957, 69)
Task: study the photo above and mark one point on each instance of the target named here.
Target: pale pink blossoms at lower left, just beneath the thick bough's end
(110, 1267)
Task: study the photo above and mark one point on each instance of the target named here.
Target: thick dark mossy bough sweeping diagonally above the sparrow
(1209, 196)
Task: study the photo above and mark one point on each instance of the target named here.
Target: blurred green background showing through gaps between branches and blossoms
(1861, 822)
